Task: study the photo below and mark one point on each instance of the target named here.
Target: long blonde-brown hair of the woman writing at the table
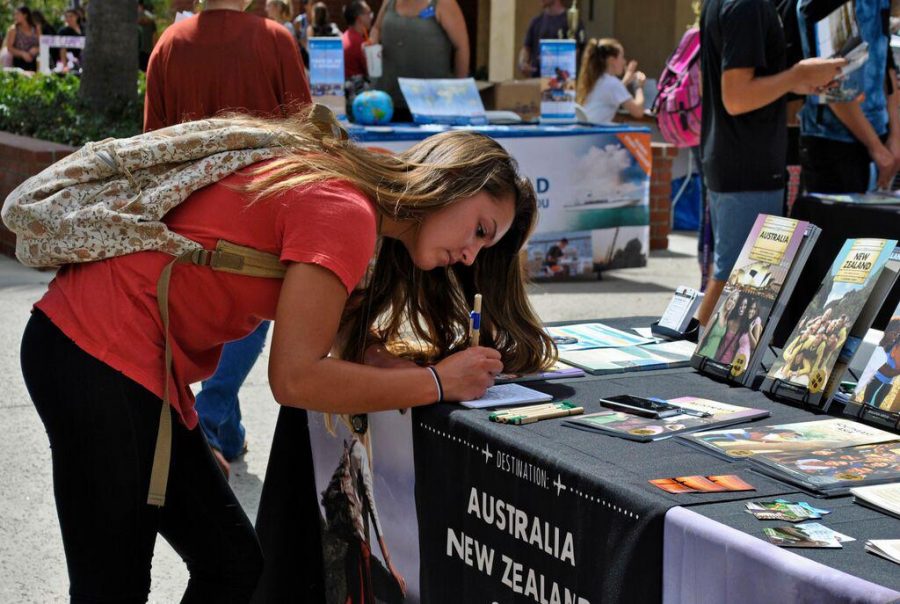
(400, 302)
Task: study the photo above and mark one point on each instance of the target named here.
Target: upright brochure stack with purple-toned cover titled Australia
(738, 333)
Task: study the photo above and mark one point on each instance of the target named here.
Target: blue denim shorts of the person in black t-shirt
(732, 216)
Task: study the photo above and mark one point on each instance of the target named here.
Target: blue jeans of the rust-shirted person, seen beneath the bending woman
(217, 403)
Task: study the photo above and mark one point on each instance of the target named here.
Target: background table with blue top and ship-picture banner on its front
(592, 182)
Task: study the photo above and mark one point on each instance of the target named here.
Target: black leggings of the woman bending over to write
(102, 429)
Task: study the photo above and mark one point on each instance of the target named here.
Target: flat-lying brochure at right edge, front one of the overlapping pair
(833, 471)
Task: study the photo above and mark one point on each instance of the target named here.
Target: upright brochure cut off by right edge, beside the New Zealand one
(876, 398)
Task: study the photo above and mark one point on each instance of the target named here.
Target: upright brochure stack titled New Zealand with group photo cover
(821, 346)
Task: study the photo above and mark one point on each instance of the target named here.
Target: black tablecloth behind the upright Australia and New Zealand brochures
(839, 222)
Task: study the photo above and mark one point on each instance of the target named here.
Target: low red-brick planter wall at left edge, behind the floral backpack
(21, 157)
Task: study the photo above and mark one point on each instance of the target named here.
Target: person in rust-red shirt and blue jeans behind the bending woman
(224, 59)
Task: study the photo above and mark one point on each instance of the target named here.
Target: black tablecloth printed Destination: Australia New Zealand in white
(614, 515)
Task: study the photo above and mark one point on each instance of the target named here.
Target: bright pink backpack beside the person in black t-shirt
(678, 101)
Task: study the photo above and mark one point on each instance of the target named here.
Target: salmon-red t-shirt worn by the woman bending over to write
(109, 308)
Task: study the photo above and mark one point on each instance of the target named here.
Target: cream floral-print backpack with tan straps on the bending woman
(108, 199)
